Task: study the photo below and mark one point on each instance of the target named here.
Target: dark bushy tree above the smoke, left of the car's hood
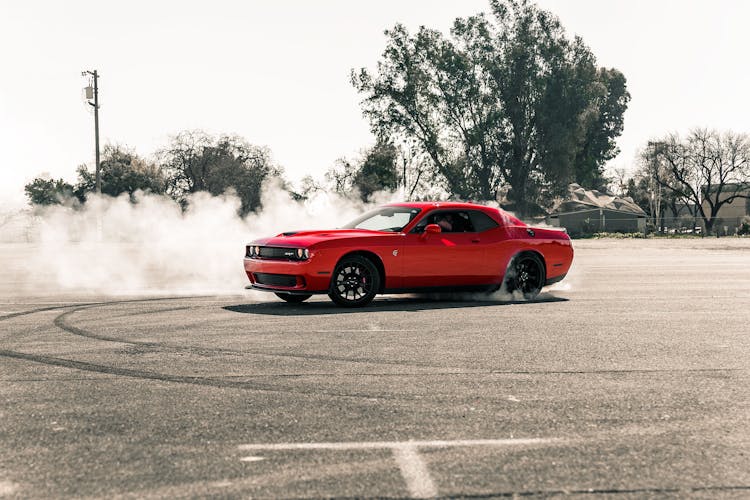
(195, 161)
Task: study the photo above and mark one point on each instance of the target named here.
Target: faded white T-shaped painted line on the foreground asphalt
(406, 453)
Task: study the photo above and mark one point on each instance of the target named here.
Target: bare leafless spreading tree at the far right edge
(708, 169)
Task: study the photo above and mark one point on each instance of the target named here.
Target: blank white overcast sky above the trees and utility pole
(277, 72)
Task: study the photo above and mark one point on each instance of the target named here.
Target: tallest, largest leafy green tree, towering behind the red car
(504, 100)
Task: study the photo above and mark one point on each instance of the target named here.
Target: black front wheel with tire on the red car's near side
(355, 282)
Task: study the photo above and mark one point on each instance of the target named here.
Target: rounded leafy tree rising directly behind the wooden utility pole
(122, 171)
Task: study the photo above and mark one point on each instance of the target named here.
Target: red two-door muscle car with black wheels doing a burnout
(407, 248)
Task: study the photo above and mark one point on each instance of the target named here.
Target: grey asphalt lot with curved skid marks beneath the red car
(628, 380)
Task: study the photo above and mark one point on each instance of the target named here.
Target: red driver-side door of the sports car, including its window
(452, 258)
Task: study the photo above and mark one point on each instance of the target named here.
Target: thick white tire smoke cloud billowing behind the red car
(114, 247)
